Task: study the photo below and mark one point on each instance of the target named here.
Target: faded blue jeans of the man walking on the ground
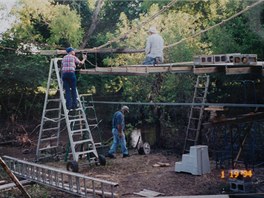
(116, 141)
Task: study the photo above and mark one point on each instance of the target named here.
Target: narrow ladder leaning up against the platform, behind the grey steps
(196, 113)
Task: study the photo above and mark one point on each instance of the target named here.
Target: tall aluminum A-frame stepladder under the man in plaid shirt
(54, 112)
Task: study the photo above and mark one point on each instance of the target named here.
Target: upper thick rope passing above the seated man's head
(139, 26)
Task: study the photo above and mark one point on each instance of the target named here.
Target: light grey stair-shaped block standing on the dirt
(196, 162)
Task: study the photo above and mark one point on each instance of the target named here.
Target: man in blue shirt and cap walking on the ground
(118, 126)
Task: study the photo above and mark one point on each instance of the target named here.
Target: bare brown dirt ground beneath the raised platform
(137, 172)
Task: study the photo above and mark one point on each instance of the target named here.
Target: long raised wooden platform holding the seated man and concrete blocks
(183, 67)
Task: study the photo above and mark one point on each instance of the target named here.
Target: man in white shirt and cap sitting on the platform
(154, 48)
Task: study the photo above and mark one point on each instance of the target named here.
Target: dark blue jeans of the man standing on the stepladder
(69, 83)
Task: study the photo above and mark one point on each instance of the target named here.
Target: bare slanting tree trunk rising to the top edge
(90, 31)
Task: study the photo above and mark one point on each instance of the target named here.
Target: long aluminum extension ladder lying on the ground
(69, 182)
